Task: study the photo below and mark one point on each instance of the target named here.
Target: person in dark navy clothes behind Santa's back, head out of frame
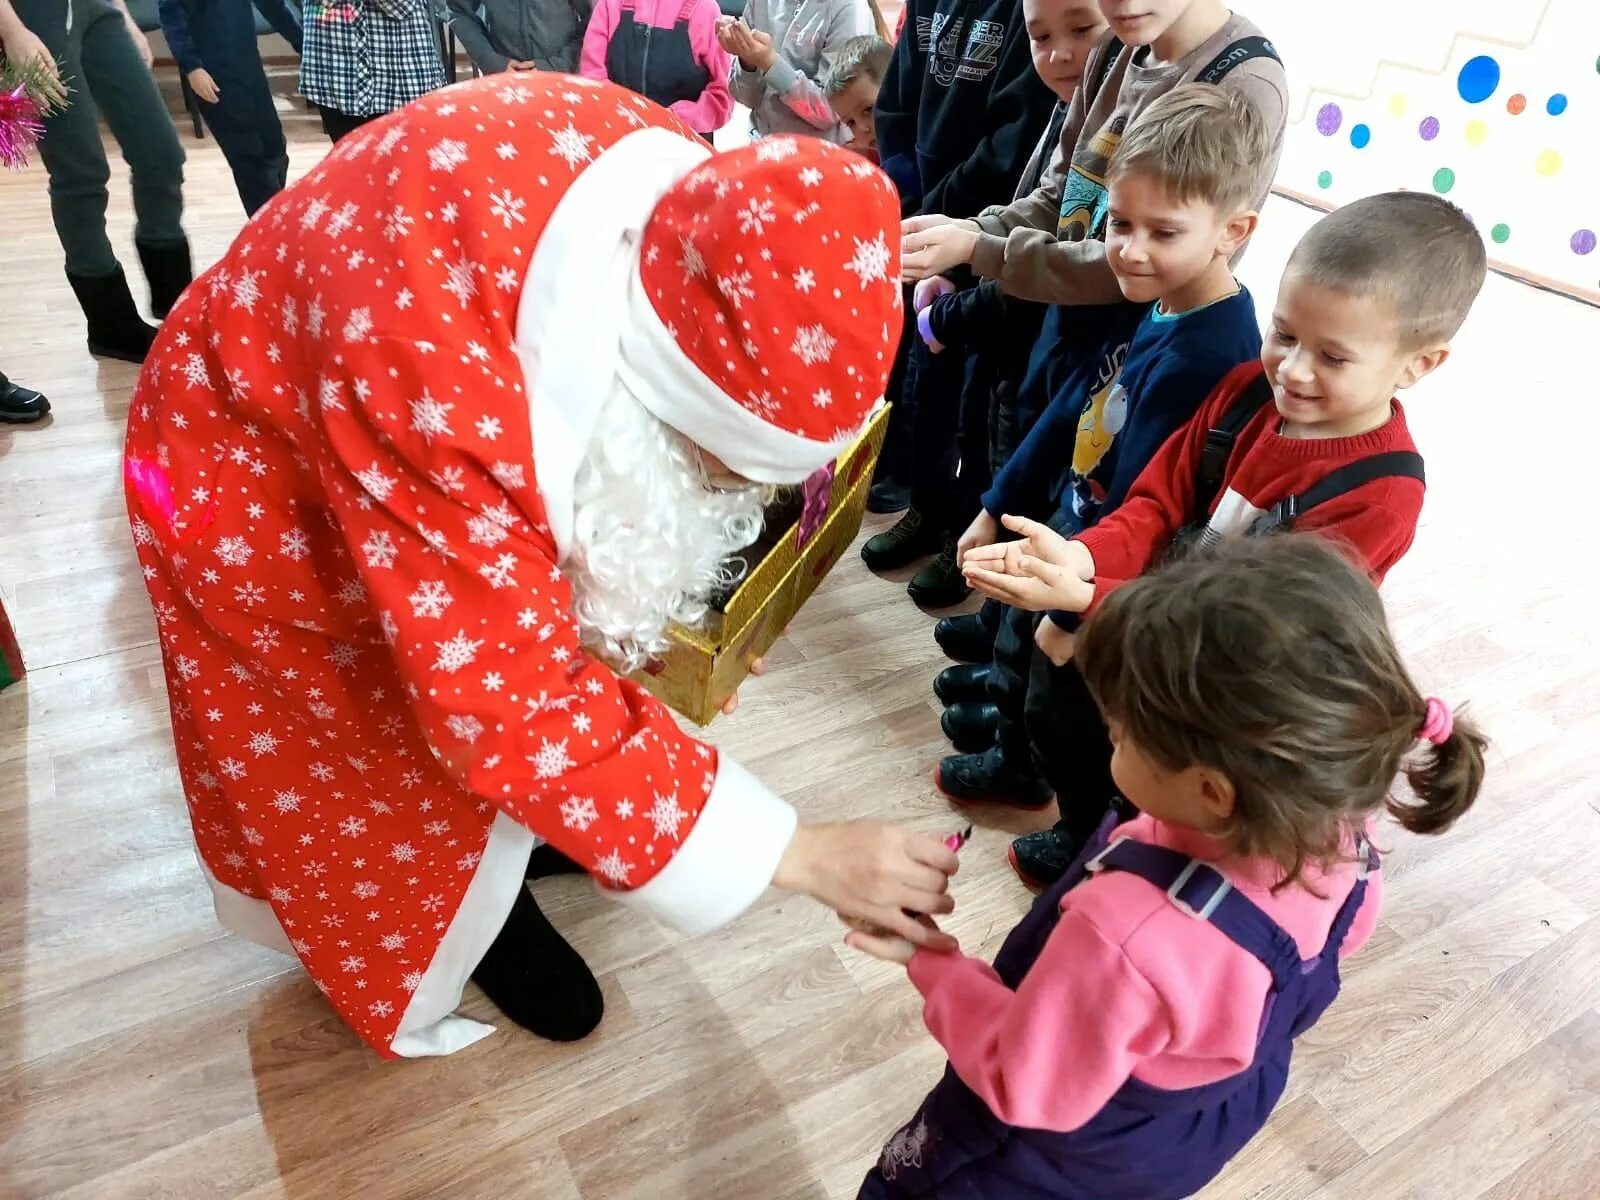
(215, 46)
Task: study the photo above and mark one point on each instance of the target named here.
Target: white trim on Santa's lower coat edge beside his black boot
(430, 1025)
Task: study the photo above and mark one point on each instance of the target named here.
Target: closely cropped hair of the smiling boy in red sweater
(1418, 254)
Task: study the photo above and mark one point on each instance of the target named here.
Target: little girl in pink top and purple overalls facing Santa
(1137, 1028)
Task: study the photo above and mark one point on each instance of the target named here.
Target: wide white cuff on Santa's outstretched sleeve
(729, 858)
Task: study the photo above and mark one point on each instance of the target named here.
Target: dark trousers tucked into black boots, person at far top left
(110, 78)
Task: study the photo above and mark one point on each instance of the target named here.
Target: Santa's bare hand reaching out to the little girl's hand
(874, 873)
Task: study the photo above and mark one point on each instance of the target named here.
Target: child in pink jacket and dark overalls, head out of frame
(665, 50)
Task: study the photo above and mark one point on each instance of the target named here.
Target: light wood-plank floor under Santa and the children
(146, 1054)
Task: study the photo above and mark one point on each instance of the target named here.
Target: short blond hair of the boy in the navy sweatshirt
(1206, 143)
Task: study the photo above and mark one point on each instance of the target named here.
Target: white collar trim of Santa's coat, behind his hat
(575, 302)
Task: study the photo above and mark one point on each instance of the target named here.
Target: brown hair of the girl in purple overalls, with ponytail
(1270, 660)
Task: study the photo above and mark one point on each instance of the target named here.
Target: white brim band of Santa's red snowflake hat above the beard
(676, 391)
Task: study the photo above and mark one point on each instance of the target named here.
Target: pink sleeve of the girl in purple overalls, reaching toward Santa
(1052, 1054)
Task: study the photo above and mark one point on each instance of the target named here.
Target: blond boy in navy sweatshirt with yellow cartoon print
(1182, 186)
